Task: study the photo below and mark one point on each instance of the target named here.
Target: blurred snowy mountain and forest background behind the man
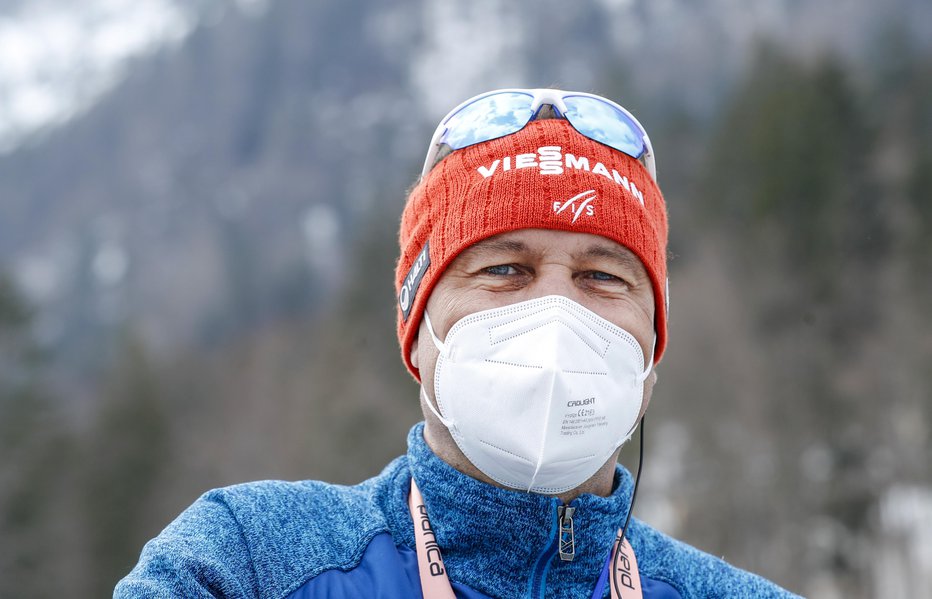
(198, 215)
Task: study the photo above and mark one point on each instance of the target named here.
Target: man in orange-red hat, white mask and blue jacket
(532, 297)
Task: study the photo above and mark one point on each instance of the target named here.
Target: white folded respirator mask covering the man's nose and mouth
(538, 394)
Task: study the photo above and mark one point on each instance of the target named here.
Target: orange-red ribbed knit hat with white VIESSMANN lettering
(546, 176)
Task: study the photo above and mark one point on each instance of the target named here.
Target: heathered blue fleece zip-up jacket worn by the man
(312, 539)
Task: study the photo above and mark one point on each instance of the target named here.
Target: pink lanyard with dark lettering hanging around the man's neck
(435, 584)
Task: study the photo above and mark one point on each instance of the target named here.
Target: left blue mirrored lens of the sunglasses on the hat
(488, 118)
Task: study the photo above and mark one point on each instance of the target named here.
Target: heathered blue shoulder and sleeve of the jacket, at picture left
(279, 533)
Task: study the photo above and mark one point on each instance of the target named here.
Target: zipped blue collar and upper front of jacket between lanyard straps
(503, 542)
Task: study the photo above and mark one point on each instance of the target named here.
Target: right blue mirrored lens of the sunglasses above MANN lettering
(603, 122)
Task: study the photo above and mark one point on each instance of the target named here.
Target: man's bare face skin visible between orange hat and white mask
(596, 272)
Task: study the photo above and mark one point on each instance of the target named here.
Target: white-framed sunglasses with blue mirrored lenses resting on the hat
(502, 112)
